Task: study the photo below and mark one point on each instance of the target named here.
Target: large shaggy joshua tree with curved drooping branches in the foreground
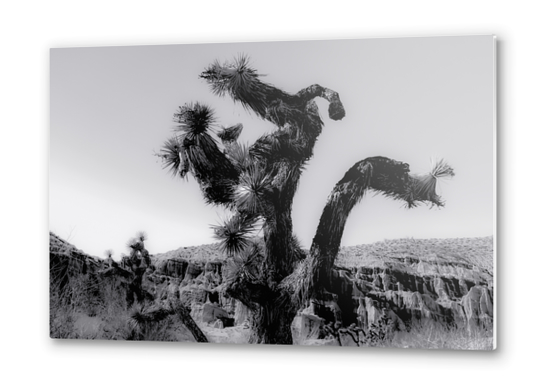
(273, 276)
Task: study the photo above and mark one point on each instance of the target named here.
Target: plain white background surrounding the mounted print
(29, 29)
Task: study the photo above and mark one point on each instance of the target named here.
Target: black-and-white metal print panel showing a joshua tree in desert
(317, 193)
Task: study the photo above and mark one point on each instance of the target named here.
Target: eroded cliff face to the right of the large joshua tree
(410, 282)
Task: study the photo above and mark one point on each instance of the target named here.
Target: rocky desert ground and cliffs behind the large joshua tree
(407, 293)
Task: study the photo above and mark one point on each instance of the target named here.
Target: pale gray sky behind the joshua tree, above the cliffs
(410, 99)
